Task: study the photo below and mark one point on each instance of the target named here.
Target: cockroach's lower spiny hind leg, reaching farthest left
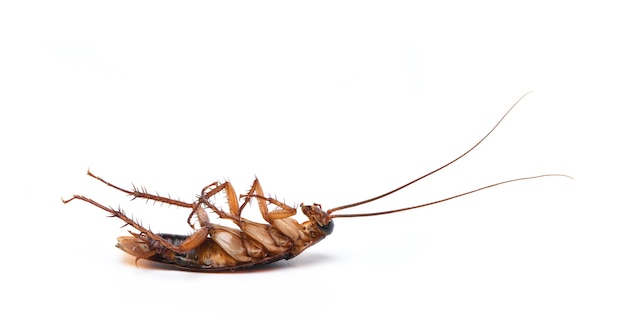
(190, 243)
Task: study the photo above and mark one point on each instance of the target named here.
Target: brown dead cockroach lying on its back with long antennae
(214, 247)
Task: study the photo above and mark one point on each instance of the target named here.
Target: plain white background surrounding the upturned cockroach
(328, 102)
